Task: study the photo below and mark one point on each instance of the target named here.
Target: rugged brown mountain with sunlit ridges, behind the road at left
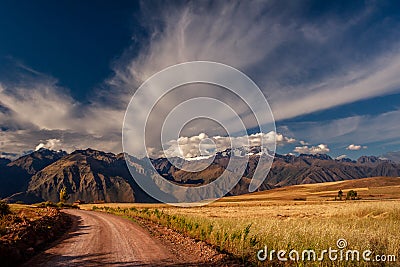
(88, 175)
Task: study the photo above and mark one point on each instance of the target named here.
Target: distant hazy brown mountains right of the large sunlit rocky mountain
(286, 170)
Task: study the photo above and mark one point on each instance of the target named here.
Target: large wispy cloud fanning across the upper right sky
(280, 54)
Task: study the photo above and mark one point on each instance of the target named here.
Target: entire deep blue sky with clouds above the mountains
(329, 69)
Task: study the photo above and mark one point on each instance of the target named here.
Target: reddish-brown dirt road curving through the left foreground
(101, 239)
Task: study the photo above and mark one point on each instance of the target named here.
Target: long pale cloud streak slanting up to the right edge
(377, 79)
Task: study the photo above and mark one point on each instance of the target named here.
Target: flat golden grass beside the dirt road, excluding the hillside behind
(243, 229)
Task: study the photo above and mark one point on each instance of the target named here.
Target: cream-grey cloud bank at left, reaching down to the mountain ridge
(40, 110)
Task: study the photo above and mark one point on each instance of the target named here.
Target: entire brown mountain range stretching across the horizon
(96, 176)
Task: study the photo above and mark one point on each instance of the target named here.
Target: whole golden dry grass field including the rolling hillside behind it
(243, 225)
